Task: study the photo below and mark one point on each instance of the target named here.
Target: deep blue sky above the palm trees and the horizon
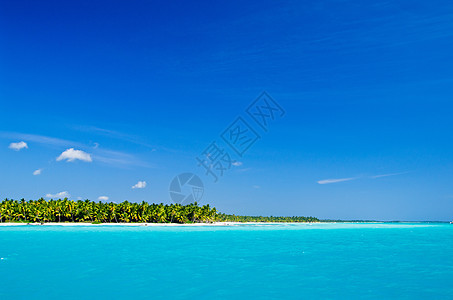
(139, 89)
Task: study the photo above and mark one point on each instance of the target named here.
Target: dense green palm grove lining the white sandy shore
(65, 210)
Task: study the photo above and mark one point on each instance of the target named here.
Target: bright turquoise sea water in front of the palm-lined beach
(288, 261)
